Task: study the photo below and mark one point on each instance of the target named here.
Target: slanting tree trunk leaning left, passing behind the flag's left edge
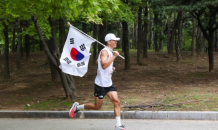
(66, 80)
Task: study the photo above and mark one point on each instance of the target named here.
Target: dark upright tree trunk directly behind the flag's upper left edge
(62, 35)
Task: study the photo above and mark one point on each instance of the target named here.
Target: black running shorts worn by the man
(100, 92)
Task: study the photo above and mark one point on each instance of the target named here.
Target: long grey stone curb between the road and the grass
(161, 115)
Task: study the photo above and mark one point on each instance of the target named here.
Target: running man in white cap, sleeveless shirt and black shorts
(103, 83)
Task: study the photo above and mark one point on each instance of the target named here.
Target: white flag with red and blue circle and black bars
(75, 56)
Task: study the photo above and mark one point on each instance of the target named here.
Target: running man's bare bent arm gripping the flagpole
(104, 56)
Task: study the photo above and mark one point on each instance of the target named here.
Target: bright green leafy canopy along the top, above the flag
(70, 9)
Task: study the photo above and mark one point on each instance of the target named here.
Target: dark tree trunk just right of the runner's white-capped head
(126, 45)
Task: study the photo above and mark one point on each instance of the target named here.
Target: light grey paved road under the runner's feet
(104, 124)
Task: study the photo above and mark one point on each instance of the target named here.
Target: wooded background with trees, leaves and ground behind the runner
(170, 49)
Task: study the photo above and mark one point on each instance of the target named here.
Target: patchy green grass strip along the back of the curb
(191, 99)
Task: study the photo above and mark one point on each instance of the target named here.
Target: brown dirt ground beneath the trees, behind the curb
(158, 84)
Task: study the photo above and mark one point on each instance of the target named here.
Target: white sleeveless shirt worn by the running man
(103, 77)
